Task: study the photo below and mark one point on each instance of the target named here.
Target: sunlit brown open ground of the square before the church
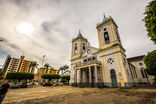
(74, 95)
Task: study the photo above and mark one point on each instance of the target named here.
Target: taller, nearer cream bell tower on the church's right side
(108, 33)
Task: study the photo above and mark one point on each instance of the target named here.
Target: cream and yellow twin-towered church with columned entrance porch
(106, 66)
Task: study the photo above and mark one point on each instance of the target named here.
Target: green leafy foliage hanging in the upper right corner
(150, 20)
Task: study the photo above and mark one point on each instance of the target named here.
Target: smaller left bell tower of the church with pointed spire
(79, 45)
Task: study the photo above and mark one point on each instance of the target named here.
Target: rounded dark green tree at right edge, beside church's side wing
(150, 62)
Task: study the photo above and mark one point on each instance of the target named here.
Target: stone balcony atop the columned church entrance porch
(93, 62)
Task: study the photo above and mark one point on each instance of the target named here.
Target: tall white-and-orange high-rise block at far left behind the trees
(12, 64)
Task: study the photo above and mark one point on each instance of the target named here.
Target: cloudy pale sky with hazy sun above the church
(50, 26)
